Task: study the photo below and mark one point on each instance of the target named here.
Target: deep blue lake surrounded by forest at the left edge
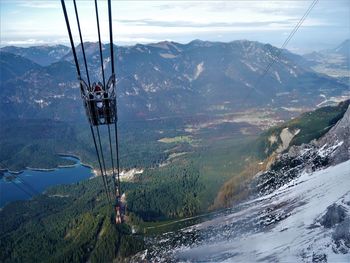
(38, 181)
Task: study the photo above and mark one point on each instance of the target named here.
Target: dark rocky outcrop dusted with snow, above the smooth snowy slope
(331, 149)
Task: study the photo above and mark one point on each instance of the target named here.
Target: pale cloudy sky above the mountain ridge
(29, 22)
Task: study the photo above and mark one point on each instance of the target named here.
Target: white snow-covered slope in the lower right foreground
(307, 219)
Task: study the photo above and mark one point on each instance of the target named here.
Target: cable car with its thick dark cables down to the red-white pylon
(100, 103)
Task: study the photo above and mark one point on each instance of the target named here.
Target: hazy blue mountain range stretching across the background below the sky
(168, 78)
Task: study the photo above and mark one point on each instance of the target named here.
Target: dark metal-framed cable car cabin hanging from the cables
(100, 103)
